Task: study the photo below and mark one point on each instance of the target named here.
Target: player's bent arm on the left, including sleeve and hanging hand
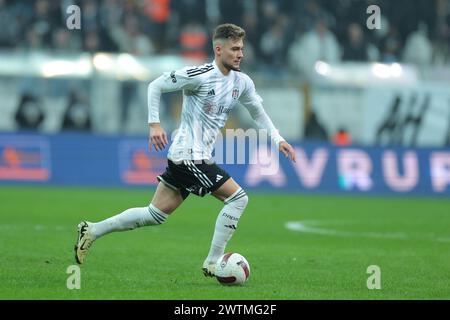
(167, 82)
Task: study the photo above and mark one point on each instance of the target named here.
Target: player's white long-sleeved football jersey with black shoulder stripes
(208, 98)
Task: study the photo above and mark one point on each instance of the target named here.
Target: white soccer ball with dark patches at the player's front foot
(232, 269)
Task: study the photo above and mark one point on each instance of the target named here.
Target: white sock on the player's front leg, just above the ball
(226, 224)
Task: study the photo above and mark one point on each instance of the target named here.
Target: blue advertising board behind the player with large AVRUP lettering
(89, 160)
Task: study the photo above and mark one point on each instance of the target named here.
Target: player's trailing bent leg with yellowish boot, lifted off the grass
(164, 202)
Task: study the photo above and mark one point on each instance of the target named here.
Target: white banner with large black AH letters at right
(406, 116)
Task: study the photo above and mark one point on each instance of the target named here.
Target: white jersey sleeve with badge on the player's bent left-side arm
(168, 82)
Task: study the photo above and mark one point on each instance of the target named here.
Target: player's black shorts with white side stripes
(197, 177)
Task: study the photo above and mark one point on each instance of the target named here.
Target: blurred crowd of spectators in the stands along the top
(281, 34)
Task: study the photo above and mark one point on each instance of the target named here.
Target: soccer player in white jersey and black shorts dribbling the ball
(209, 93)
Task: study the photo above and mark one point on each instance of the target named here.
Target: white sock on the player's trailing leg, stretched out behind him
(129, 220)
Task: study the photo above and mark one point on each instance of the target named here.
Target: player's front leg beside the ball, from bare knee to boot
(235, 200)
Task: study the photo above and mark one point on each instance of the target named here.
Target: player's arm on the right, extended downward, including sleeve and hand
(253, 102)
